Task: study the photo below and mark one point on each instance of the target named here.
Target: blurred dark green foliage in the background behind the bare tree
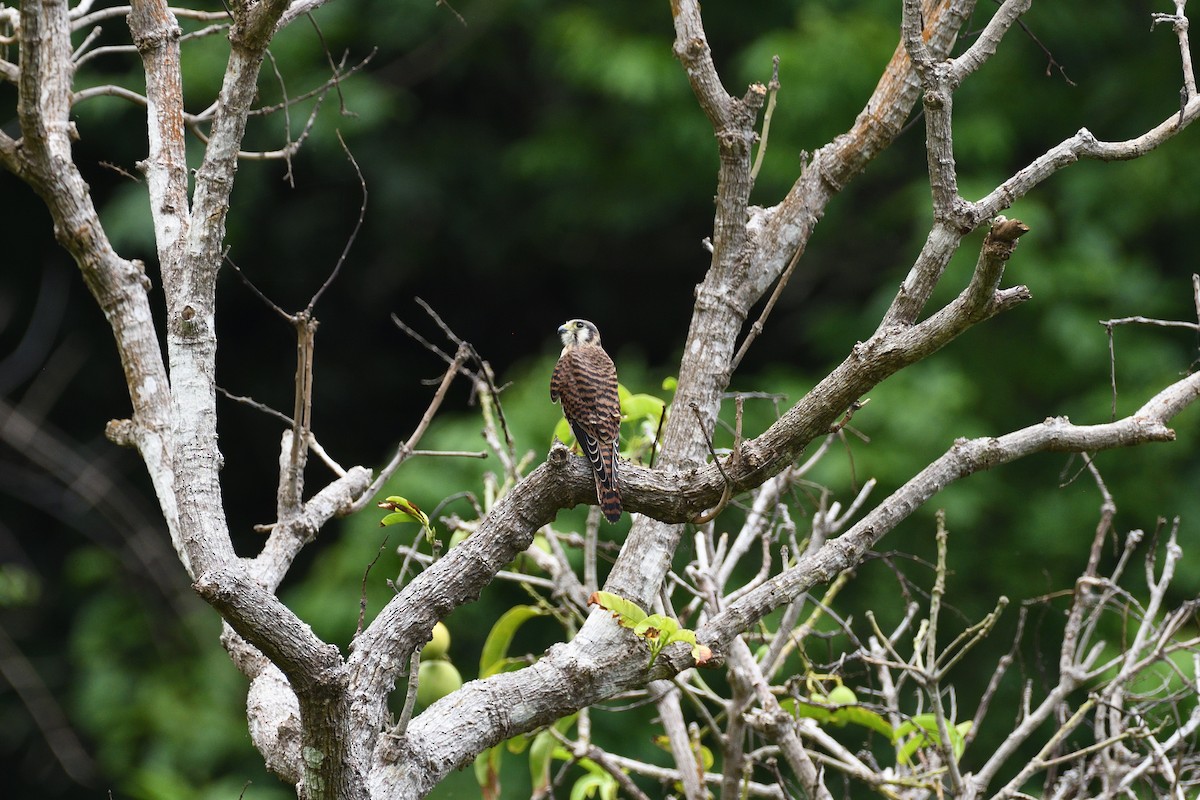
(527, 163)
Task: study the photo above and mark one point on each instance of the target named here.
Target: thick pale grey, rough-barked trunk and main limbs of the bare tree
(320, 718)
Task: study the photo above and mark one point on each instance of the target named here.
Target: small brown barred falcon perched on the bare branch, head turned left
(586, 382)
